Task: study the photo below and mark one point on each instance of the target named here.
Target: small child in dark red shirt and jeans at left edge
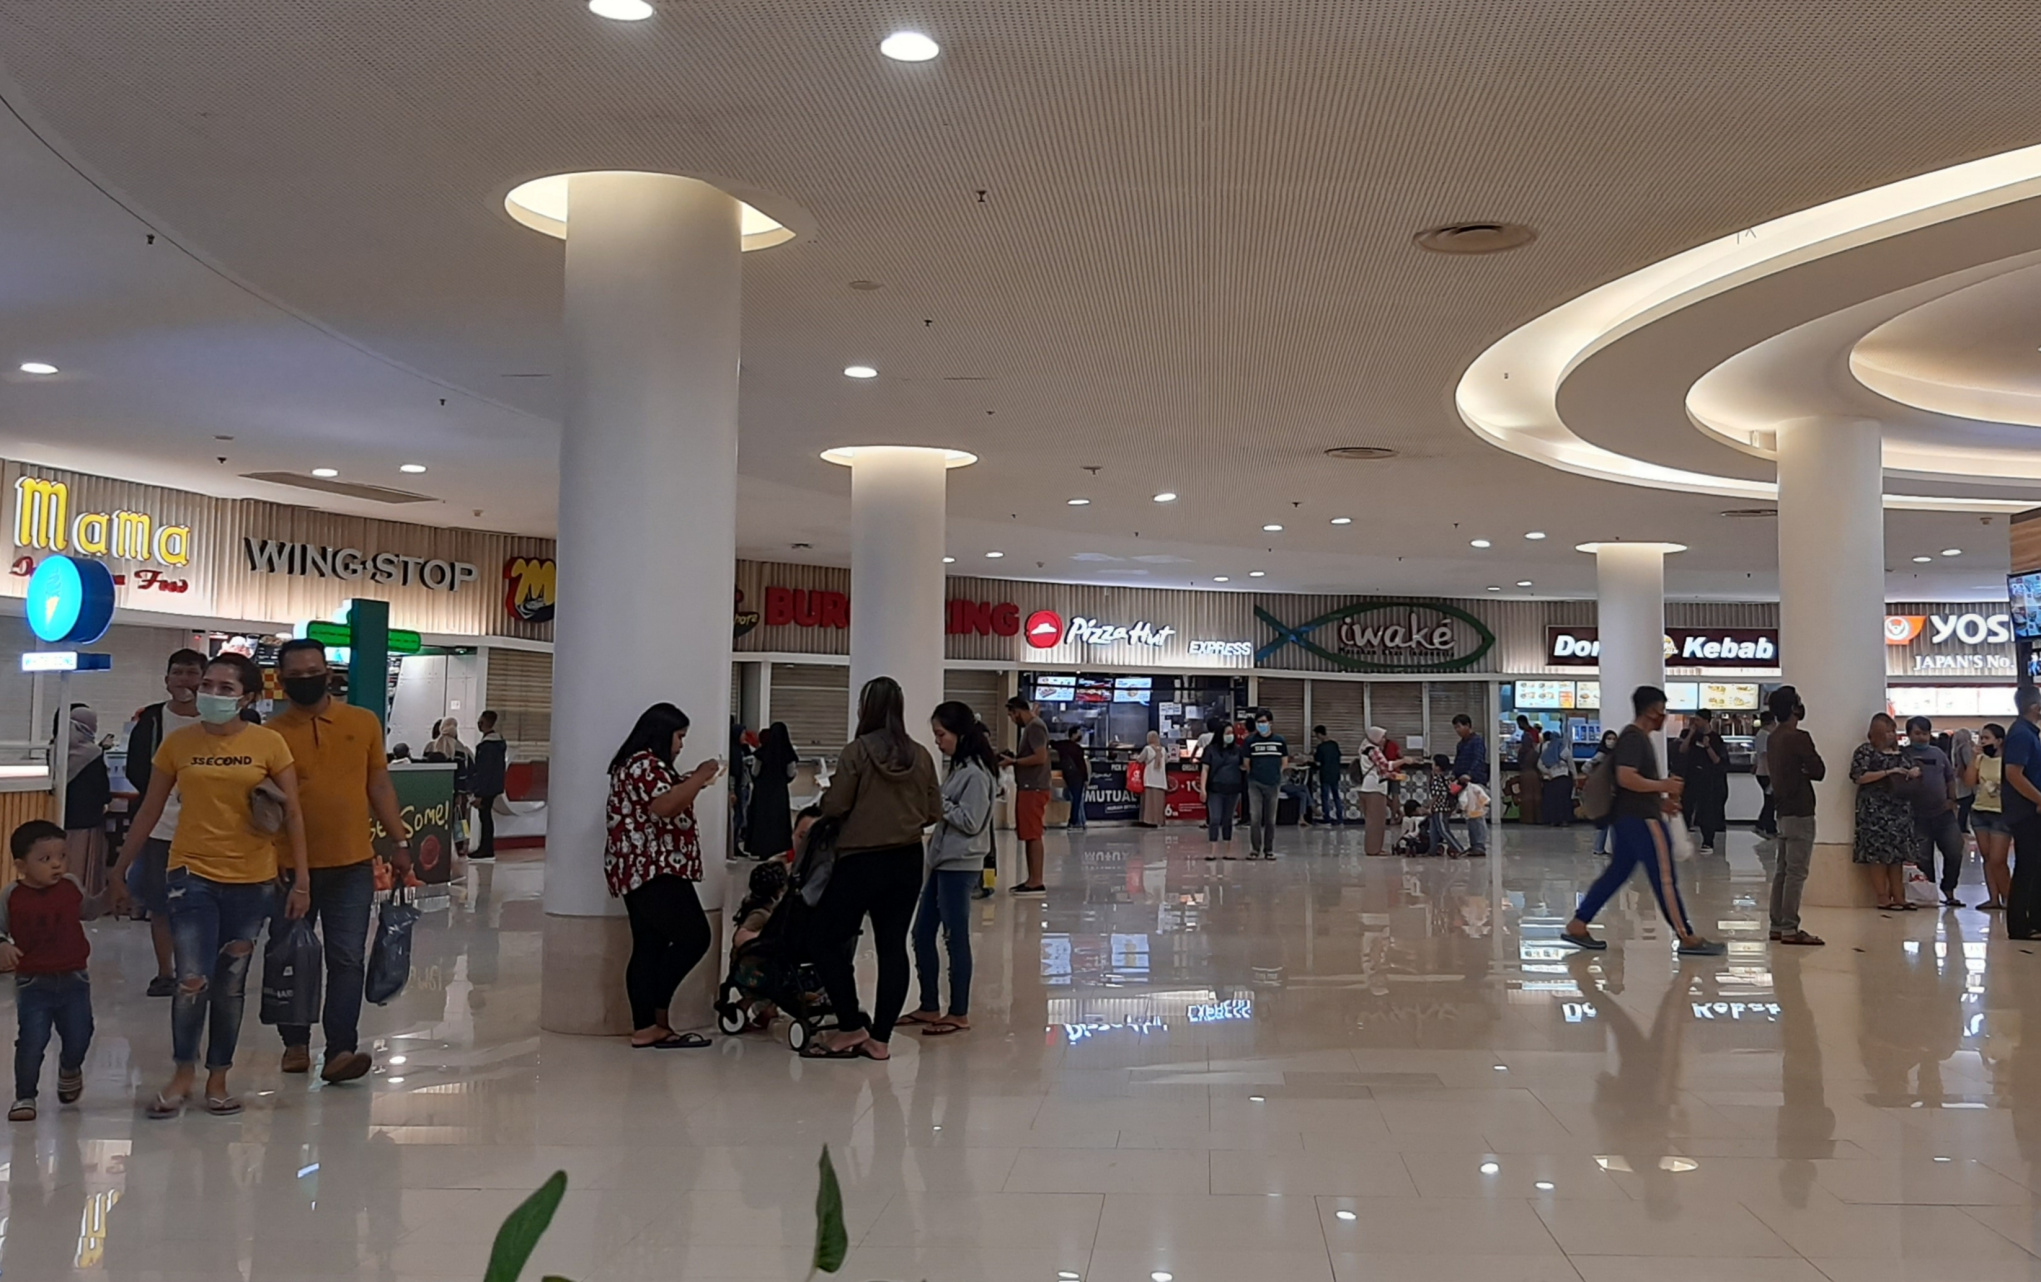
(44, 944)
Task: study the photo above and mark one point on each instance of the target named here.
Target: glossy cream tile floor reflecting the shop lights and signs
(1181, 1071)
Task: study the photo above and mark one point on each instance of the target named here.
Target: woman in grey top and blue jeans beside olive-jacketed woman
(956, 858)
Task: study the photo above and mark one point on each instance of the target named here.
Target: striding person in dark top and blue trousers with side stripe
(1642, 836)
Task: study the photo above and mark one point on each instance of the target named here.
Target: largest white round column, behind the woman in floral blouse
(648, 550)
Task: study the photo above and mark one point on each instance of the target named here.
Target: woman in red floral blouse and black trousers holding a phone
(654, 860)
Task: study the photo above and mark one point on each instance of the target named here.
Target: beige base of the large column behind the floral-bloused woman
(583, 981)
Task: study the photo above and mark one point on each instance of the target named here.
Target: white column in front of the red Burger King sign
(897, 575)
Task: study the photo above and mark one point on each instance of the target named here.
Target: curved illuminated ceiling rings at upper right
(1511, 395)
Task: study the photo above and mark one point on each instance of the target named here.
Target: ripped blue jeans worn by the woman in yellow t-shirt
(213, 930)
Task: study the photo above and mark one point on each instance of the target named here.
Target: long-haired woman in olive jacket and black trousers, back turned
(885, 793)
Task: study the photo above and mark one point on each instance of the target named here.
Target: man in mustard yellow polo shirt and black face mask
(342, 777)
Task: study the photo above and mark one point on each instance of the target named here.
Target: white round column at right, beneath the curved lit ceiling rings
(1832, 618)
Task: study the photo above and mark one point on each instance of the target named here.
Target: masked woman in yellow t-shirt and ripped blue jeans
(221, 871)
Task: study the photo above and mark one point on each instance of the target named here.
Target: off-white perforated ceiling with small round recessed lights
(1191, 268)
